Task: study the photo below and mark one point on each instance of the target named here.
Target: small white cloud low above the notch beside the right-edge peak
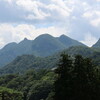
(89, 39)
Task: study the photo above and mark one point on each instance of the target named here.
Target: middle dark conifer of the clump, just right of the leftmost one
(79, 79)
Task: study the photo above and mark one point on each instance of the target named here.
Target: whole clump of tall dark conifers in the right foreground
(77, 79)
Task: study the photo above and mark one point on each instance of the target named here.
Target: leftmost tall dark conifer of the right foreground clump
(62, 84)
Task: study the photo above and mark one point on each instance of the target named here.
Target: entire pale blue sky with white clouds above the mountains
(78, 19)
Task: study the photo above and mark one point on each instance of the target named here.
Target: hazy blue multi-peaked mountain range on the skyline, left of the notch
(44, 45)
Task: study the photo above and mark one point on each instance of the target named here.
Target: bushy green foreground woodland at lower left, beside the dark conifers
(34, 85)
